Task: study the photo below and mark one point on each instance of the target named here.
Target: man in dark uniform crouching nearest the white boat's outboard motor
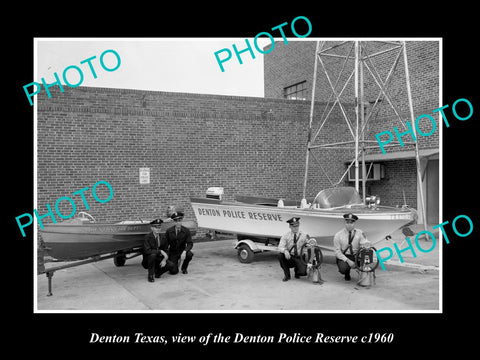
(178, 239)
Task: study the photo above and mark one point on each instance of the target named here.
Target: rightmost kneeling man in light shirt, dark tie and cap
(347, 242)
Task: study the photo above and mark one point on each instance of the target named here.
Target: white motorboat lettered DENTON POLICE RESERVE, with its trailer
(260, 219)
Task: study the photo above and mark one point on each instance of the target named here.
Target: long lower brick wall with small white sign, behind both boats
(189, 141)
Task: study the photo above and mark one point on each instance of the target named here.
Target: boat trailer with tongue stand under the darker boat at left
(119, 259)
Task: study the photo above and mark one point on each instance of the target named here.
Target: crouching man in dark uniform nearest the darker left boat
(154, 252)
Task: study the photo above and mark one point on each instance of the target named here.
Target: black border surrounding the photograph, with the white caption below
(415, 334)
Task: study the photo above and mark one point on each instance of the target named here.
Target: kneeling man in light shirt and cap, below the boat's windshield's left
(290, 246)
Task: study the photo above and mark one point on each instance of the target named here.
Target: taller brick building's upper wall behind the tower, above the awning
(294, 62)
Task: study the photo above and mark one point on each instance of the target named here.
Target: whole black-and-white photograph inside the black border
(241, 173)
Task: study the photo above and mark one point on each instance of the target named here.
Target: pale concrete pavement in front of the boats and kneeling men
(217, 281)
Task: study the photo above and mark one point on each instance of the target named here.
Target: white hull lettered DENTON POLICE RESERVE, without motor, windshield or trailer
(270, 221)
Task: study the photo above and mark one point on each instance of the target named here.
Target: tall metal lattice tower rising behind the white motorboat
(350, 59)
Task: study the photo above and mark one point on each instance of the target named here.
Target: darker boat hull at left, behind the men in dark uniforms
(67, 241)
